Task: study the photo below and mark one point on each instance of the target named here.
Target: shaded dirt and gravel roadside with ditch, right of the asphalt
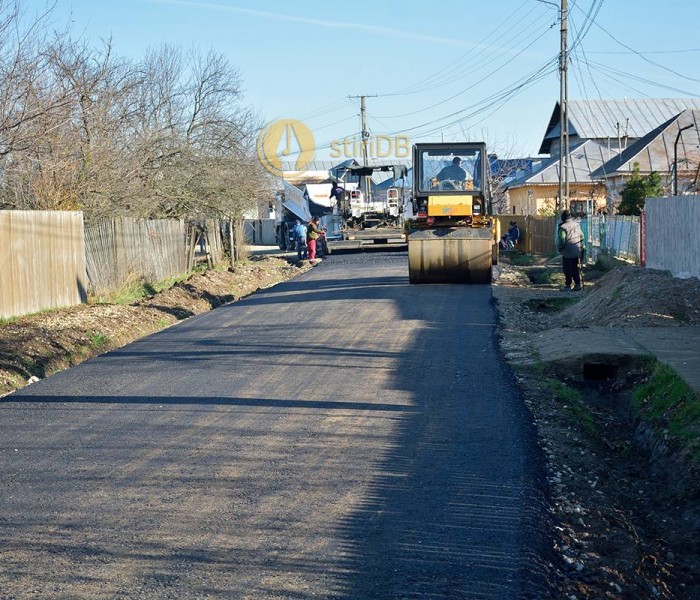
(624, 496)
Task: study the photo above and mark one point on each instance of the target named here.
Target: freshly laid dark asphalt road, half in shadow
(341, 435)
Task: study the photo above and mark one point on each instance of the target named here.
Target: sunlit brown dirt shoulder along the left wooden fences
(35, 346)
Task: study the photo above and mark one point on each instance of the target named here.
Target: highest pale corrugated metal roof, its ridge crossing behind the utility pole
(598, 119)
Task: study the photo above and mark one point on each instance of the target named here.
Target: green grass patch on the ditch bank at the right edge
(670, 404)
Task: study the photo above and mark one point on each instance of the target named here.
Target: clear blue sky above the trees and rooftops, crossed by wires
(441, 69)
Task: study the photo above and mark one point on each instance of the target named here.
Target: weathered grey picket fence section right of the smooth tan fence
(121, 250)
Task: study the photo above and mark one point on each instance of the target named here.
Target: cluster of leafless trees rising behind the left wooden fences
(80, 128)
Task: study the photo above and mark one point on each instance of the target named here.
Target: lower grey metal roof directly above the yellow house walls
(584, 157)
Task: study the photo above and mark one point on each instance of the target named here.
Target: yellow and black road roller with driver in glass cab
(451, 236)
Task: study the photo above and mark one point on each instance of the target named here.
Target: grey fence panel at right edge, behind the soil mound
(672, 241)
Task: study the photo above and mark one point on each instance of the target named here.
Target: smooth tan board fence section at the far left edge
(42, 261)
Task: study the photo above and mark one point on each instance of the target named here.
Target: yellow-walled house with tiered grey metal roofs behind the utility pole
(599, 130)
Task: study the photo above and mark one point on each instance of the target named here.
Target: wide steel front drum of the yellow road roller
(450, 255)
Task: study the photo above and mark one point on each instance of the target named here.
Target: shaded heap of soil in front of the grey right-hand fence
(636, 297)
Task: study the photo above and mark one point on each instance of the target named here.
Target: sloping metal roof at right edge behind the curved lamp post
(654, 151)
